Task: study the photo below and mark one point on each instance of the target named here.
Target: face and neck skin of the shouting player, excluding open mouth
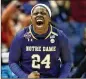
(40, 13)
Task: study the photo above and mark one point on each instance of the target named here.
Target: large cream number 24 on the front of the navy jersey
(36, 59)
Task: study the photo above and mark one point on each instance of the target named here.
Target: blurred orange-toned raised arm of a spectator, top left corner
(9, 11)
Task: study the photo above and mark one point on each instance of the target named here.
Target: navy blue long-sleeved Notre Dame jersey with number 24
(31, 53)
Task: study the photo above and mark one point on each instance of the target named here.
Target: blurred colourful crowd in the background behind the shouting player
(67, 15)
